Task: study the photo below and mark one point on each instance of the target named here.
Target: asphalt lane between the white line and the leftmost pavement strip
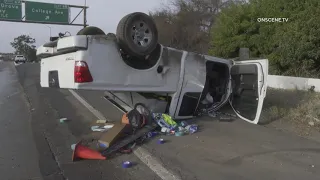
(48, 105)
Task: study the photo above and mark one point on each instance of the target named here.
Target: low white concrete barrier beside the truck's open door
(289, 82)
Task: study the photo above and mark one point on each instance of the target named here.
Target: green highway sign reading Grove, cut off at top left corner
(10, 9)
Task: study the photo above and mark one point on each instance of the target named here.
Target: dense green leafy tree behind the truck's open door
(292, 47)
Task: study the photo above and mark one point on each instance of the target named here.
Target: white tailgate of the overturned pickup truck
(58, 71)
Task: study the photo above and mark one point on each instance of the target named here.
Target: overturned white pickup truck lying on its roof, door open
(132, 67)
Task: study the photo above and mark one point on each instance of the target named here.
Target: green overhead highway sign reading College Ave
(46, 12)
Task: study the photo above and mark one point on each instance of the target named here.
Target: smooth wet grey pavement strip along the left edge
(18, 153)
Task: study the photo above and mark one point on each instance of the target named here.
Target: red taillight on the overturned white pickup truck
(81, 72)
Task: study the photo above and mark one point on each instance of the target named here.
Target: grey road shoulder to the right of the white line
(230, 150)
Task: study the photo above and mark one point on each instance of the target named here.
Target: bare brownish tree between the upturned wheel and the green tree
(186, 24)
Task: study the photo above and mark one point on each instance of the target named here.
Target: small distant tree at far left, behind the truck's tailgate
(24, 45)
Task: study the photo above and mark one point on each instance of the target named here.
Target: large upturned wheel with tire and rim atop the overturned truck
(137, 34)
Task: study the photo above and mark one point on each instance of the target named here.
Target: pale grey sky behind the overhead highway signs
(104, 14)
